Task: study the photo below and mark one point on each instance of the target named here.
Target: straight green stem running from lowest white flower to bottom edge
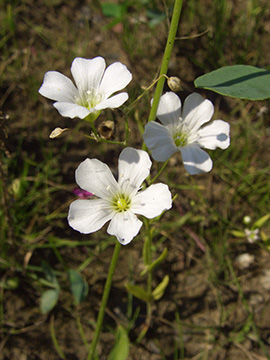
(104, 301)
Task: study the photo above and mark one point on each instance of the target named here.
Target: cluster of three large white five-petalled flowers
(103, 198)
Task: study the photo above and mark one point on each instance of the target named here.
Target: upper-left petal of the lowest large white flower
(94, 176)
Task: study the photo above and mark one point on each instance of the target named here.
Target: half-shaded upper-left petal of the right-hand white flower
(169, 109)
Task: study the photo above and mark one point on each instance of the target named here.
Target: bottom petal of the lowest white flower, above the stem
(124, 225)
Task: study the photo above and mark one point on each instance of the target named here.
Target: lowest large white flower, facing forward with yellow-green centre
(117, 202)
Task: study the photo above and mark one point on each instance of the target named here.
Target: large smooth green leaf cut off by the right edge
(238, 81)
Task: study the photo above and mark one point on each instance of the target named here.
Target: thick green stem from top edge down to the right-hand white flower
(166, 57)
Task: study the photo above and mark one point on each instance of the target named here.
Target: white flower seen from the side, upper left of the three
(93, 89)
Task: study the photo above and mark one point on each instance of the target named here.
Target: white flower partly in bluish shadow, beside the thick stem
(182, 131)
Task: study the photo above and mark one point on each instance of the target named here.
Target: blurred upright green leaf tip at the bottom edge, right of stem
(120, 350)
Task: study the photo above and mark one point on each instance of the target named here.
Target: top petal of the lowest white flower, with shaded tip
(133, 168)
